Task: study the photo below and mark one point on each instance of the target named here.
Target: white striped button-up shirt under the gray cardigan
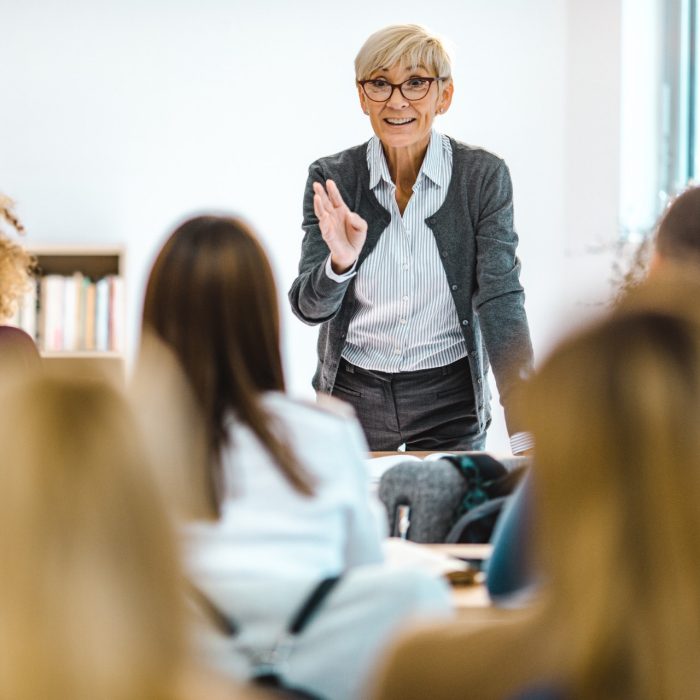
(405, 318)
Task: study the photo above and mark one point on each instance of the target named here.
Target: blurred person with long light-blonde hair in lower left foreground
(91, 595)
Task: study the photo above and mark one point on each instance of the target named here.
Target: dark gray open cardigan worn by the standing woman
(474, 233)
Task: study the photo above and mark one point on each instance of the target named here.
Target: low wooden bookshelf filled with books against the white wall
(76, 344)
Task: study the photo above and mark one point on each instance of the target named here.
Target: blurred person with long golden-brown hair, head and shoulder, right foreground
(616, 523)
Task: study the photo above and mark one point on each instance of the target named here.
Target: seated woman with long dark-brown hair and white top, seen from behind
(288, 489)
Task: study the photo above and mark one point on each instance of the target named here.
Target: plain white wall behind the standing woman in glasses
(120, 117)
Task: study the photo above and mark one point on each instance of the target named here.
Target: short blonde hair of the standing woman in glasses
(408, 45)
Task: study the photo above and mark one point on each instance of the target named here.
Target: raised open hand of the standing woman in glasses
(343, 231)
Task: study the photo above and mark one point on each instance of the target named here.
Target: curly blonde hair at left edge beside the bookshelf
(16, 264)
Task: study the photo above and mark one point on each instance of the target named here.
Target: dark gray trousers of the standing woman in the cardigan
(429, 409)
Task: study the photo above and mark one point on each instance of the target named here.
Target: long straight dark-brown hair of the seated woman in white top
(211, 297)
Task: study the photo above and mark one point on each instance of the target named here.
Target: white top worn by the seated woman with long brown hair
(267, 527)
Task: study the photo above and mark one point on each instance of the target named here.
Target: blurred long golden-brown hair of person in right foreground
(615, 413)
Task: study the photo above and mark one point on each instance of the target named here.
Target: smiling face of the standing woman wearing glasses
(403, 123)
